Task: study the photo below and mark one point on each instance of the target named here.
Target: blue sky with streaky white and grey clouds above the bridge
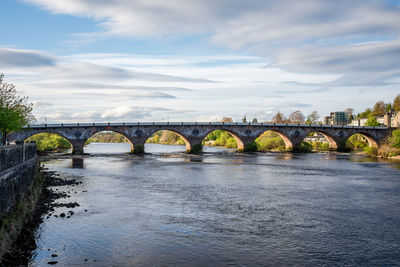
(199, 60)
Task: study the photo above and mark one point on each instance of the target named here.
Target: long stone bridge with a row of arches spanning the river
(193, 133)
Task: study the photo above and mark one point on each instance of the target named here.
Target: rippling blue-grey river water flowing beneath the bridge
(223, 208)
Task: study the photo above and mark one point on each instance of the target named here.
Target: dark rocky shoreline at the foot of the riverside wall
(22, 250)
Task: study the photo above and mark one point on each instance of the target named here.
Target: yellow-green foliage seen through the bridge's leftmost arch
(49, 141)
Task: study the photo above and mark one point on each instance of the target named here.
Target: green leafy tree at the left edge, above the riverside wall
(15, 111)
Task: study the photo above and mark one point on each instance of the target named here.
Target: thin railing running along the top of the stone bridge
(117, 124)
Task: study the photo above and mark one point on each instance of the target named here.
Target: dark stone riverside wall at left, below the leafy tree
(18, 168)
